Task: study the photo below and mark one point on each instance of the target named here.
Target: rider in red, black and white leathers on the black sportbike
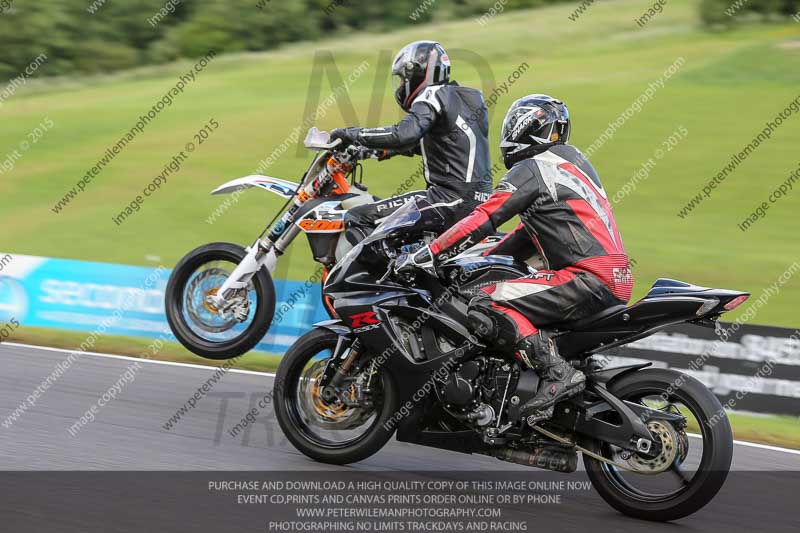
(565, 217)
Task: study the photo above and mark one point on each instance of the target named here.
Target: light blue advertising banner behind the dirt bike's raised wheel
(125, 300)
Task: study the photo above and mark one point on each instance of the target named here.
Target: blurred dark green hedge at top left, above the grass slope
(86, 36)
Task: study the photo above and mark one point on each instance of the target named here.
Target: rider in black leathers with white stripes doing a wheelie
(447, 124)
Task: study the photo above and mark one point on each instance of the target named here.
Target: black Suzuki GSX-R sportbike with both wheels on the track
(656, 443)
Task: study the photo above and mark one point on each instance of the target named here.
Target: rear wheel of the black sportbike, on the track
(693, 462)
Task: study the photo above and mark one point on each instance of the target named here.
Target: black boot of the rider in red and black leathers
(560, 380)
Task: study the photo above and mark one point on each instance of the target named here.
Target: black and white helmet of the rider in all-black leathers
(417, 66)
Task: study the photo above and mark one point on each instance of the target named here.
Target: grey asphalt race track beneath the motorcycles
(128, 435)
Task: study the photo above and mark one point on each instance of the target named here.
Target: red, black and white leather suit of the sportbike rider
(565, 216)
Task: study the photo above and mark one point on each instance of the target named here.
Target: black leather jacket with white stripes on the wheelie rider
(448, 125)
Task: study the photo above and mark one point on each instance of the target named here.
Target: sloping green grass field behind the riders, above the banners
(730, 84)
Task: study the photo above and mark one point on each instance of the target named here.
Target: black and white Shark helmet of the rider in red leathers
(533, 124)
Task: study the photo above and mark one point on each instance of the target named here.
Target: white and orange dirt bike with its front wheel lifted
(220, 299)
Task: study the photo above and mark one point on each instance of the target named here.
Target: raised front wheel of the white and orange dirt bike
(203, 329)
